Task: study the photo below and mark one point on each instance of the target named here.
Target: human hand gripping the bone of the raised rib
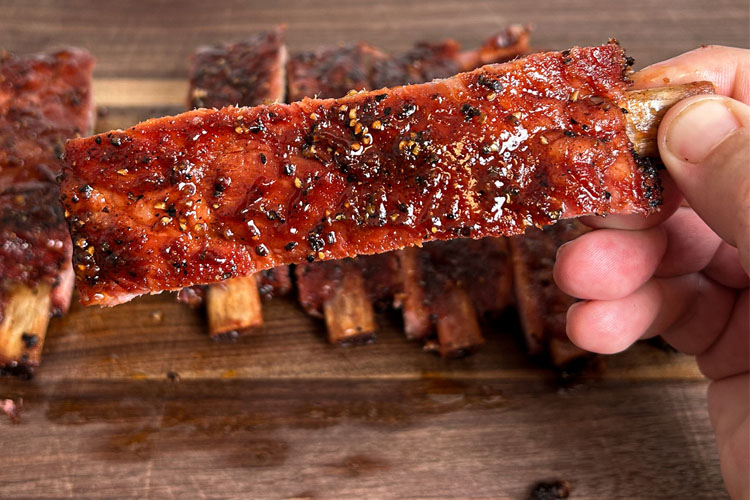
(683, 273)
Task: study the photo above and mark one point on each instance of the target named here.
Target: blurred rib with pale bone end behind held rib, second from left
(246, 73)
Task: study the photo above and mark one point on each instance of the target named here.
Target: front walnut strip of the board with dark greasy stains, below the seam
(430, 437)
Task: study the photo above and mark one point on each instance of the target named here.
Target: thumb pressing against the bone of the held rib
(704, 142)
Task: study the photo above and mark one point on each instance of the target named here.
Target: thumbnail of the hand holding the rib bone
(699, 128)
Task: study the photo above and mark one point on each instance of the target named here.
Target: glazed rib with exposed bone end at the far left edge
(44, 100)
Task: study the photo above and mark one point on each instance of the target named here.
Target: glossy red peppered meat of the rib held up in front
(213, 194)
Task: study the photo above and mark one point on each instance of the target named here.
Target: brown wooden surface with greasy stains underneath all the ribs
(279, 413)
